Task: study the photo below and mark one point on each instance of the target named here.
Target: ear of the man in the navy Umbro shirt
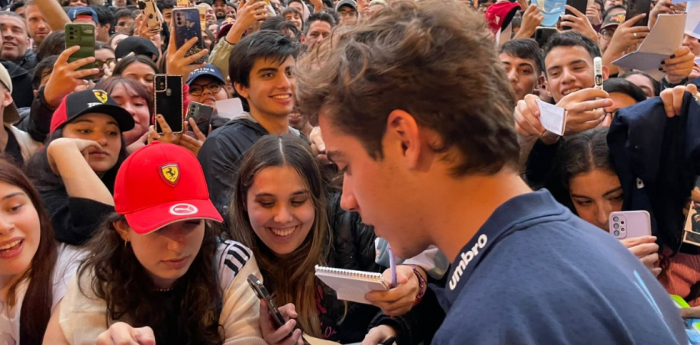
(404, 136)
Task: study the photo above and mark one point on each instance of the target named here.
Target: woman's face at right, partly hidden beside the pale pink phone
(595, 195)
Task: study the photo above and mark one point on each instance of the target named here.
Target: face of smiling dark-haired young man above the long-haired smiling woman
(270, 90)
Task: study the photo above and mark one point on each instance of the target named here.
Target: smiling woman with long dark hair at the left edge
(31, 264)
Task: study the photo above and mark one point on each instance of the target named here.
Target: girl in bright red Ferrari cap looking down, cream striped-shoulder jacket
(157, 270)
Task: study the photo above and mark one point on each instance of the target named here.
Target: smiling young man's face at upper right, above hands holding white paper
(569, 69)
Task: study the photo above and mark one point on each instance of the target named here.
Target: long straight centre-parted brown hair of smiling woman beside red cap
(290, 279)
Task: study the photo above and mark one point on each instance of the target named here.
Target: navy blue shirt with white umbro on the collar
(537, 274)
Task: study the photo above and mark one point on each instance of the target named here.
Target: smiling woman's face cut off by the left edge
(20, 232)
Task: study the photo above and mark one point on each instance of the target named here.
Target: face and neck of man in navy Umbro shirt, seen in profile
(373, 187)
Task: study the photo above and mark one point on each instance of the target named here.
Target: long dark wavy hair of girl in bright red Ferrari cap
(130, 294)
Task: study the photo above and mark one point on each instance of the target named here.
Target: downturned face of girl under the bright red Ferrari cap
(167, 253)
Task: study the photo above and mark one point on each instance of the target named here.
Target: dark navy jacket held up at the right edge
(657, 160)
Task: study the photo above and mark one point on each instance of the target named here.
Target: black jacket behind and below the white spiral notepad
(353, 248)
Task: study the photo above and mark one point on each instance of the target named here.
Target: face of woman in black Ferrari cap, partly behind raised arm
(104, 130)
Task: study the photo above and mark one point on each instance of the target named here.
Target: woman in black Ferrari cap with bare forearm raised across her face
(75, 173)
